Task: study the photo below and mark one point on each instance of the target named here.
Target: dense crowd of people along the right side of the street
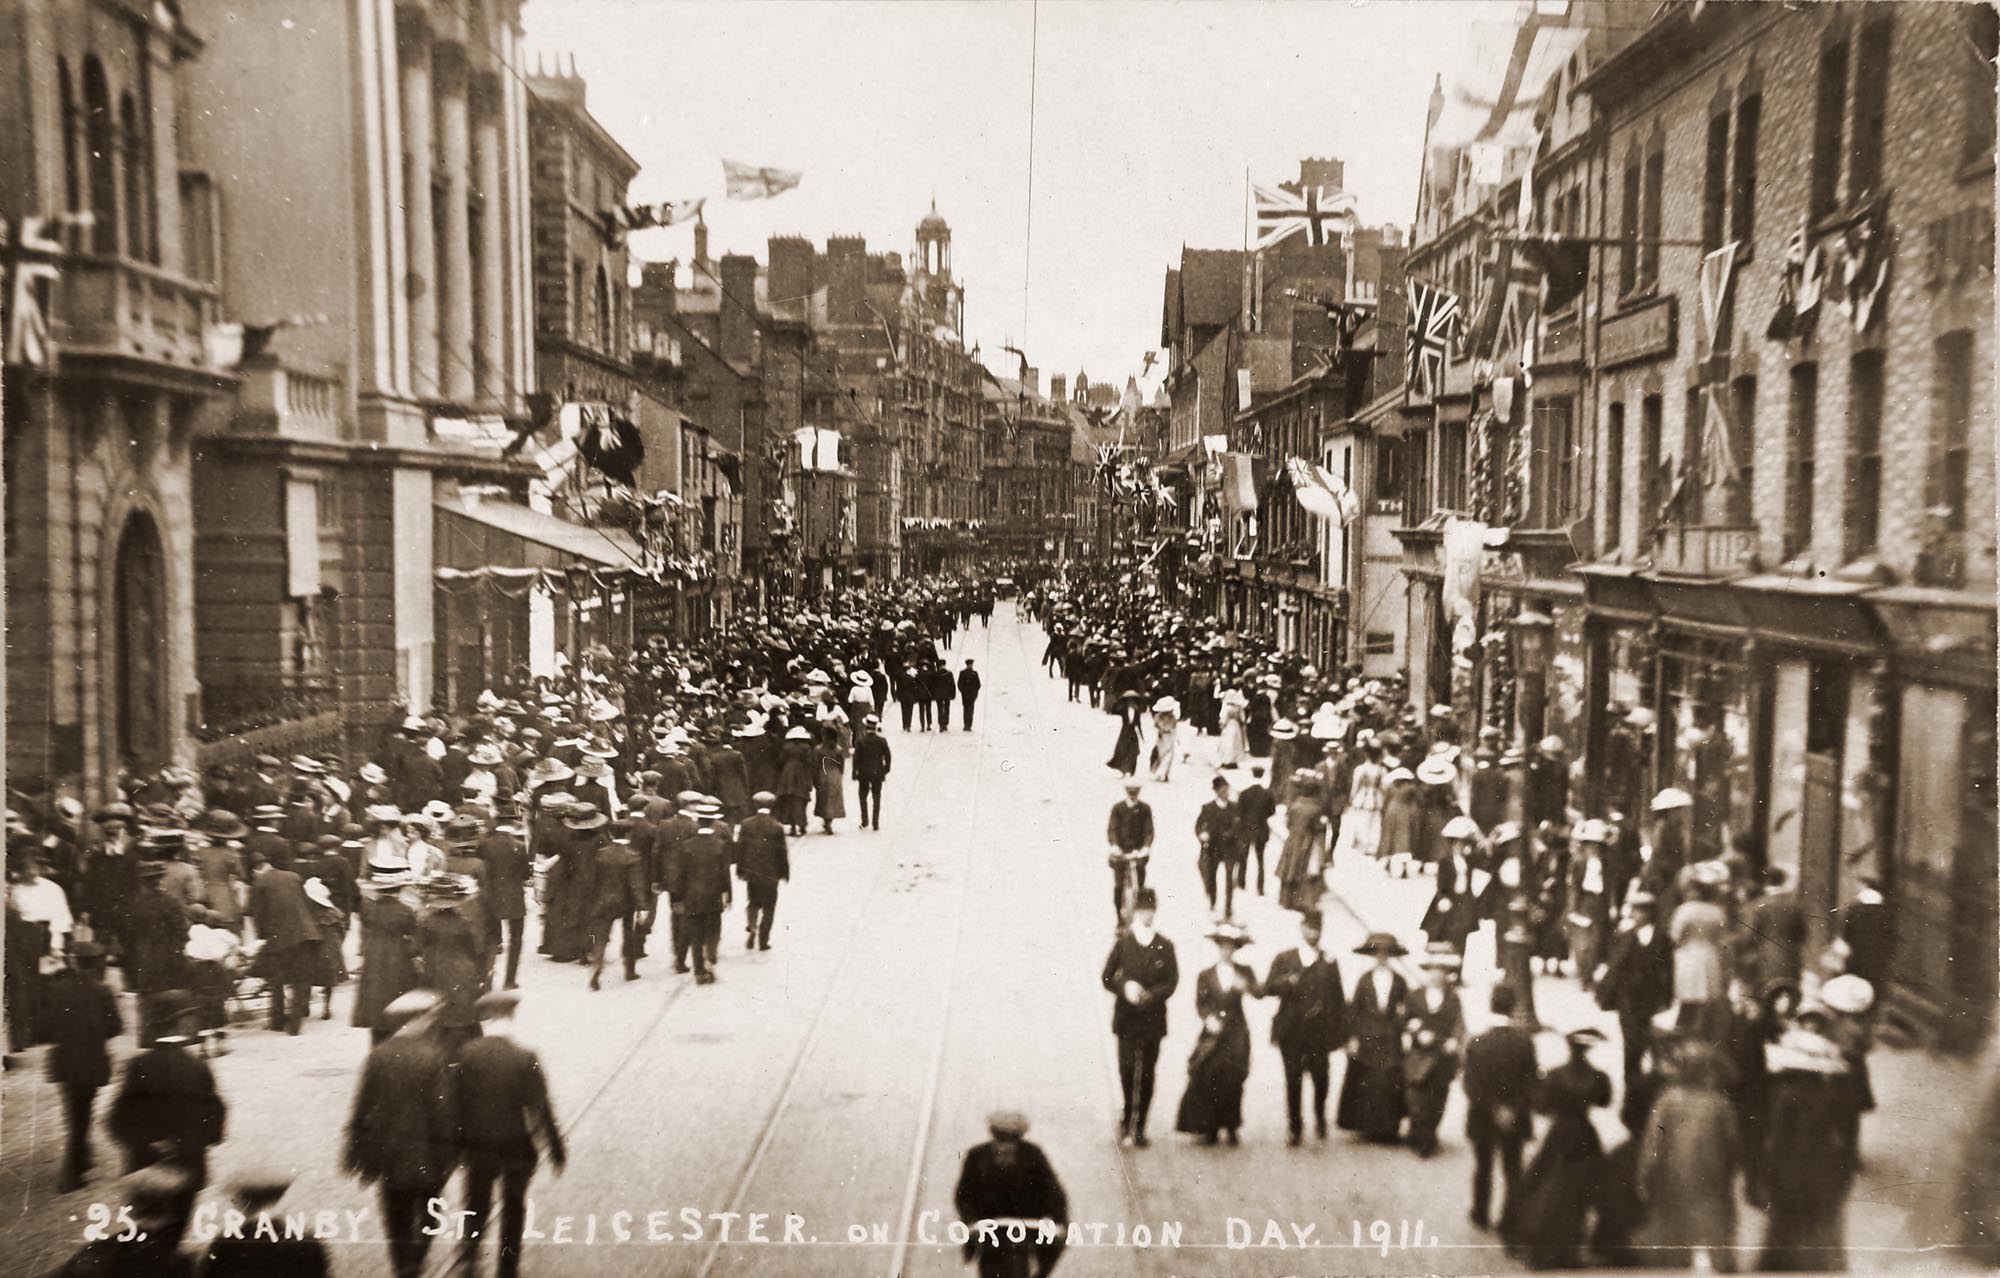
(1745, 1071)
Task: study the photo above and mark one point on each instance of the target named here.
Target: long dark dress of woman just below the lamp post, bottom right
(1545, 1223)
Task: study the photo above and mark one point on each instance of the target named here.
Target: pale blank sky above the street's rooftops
(1147, 117)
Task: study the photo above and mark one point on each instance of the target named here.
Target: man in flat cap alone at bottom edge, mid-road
(1009, 1185)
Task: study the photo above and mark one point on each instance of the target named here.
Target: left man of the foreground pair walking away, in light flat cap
(403, 1133)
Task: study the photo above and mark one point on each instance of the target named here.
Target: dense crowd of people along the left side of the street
(633, 797)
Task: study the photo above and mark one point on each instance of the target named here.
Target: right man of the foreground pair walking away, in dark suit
(503, 1115)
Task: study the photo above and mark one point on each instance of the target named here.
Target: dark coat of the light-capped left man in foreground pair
(405, 1123)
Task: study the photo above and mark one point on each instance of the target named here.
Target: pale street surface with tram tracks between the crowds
(817, 1101)
